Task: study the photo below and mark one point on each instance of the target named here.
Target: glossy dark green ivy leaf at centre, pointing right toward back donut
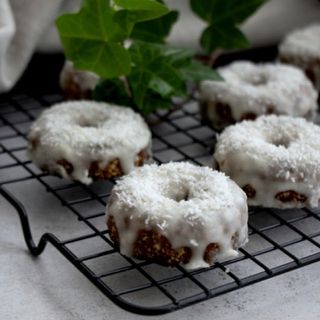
(159, 73)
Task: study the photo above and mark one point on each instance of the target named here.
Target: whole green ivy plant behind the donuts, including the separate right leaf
(124, 43)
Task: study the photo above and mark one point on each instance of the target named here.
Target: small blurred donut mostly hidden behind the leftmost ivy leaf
(77, 84)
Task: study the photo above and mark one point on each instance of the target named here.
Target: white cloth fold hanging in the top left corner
(22, 23)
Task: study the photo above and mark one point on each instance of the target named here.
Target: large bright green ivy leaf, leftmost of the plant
(91, 40)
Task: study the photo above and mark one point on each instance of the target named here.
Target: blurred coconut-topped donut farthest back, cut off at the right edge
(302, 49)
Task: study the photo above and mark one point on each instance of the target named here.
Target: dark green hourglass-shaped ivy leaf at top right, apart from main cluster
(223, 17)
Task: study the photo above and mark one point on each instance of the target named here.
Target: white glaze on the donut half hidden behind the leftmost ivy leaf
(84, 80)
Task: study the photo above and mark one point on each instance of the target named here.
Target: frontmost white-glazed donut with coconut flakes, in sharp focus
(177, 213)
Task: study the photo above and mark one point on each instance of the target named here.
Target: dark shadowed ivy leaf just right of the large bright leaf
(155, 30)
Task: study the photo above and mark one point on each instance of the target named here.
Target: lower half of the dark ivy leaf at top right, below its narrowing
(227, 37)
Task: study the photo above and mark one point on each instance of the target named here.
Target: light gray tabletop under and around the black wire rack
(49, 287)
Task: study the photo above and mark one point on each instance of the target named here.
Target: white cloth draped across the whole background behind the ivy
(25, 26)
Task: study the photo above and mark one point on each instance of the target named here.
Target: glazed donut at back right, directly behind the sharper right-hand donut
(251, 90)
